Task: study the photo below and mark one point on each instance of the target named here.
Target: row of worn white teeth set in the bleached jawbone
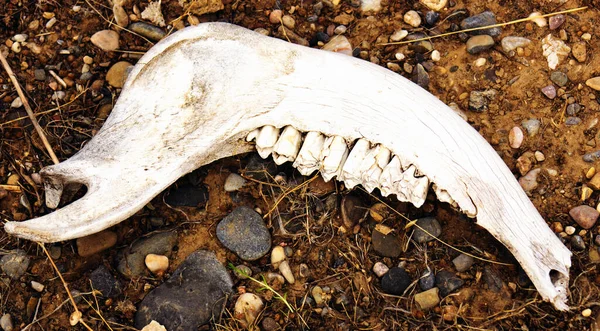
(353, 162)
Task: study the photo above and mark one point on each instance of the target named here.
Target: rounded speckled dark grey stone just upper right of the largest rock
(244, 232)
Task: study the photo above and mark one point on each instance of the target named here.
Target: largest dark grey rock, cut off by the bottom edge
(195, 293)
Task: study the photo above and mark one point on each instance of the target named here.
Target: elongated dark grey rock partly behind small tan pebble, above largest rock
(131, 263)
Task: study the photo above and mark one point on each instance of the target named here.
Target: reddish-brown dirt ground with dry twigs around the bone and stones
(336, 257)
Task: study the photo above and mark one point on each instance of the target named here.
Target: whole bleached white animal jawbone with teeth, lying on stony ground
(208, 91)
